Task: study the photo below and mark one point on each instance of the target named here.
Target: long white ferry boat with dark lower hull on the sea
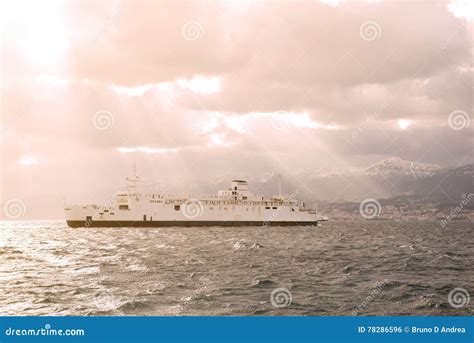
(236, 206)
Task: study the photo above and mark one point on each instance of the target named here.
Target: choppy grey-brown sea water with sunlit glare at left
(340, 268)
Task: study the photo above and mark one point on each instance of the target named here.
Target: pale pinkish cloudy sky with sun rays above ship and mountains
(202, 90)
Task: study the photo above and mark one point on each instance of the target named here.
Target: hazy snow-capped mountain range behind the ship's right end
(393, 177)
